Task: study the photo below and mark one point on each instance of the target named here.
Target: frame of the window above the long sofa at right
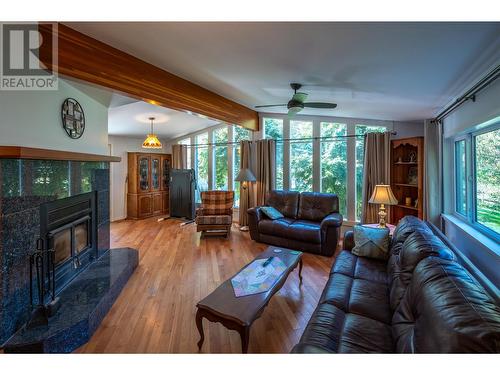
(471, 186)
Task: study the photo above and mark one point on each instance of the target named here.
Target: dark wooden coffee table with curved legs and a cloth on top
(238, 313)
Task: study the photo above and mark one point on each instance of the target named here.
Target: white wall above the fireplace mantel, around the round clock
(33, 119)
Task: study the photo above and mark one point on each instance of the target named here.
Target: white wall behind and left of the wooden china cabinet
(119, 147)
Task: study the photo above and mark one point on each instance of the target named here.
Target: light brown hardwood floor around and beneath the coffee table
(155, 312)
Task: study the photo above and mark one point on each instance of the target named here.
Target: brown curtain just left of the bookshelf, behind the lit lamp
(376, 171)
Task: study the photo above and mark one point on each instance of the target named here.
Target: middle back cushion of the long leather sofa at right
(419, 245)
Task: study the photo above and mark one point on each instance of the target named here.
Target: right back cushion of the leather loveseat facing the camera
(315, 206)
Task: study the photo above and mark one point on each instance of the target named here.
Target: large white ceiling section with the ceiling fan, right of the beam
(394, 71)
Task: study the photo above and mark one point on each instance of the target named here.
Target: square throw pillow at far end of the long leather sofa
(371, 242)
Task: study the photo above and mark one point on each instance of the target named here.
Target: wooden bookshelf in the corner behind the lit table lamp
(407, 173)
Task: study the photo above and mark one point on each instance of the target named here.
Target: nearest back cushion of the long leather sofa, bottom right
(444, 310)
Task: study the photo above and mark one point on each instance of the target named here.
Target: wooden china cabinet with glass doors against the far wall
(148, 184)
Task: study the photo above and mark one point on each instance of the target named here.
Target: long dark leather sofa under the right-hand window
(420, 301)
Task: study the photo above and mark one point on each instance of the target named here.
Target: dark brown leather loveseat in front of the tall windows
(312, 222)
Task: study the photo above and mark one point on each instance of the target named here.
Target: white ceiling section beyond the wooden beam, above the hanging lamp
(132, 120)
